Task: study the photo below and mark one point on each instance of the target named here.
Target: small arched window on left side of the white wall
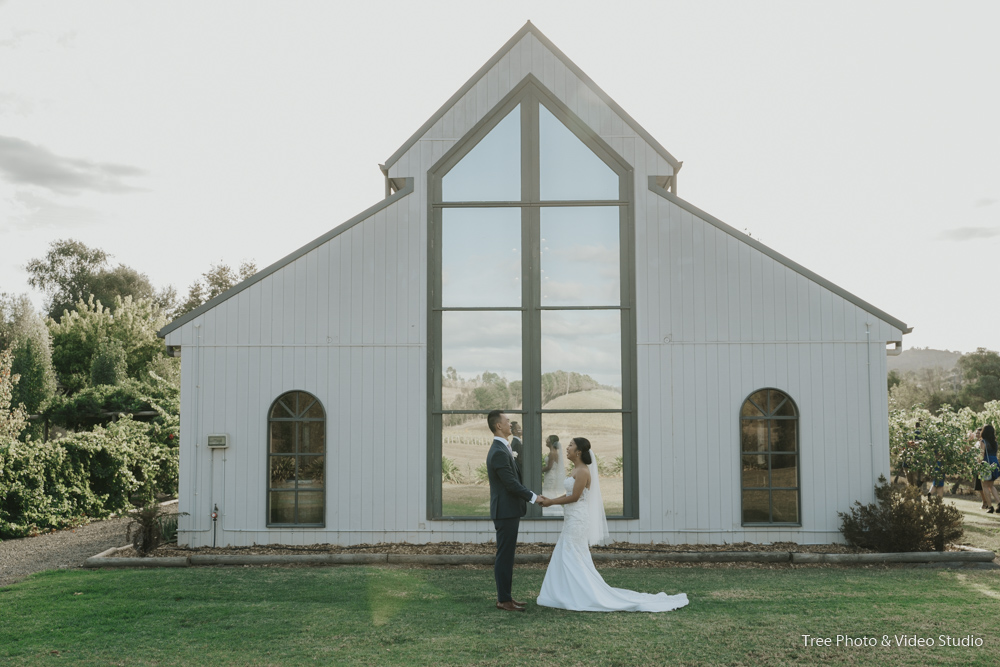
(296, 461)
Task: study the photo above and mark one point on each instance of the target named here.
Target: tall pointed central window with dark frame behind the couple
(530, 296)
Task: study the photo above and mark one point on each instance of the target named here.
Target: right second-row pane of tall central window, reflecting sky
(580, 258)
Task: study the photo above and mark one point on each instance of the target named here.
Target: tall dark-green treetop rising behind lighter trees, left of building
(72, 272)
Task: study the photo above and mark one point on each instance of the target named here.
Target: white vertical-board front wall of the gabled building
(347, 321)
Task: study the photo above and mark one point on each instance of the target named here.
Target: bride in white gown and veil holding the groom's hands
(571, 580)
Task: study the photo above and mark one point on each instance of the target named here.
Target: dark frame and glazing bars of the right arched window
(769, 413)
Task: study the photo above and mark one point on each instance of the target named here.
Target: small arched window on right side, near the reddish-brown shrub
(769, 458)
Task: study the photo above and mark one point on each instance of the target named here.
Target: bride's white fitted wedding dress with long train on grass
(572, 582)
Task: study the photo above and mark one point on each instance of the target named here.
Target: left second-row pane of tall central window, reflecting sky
(481, 257)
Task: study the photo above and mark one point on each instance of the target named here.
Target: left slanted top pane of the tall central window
(492, 170)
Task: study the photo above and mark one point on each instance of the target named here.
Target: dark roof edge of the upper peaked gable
(530, 28)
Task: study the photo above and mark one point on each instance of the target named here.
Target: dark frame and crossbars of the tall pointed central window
(526, 99)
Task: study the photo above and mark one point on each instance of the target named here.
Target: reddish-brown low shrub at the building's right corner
(899, 521)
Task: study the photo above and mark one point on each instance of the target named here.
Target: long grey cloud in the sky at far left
(25, 163)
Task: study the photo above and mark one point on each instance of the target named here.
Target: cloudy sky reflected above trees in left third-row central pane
(477, 341)
